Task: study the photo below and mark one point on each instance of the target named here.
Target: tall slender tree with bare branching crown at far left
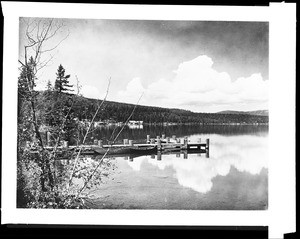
(37, 33)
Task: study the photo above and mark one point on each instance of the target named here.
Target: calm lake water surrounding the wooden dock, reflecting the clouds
(233, 177)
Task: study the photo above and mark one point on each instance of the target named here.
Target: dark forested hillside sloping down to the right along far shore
(85, 108)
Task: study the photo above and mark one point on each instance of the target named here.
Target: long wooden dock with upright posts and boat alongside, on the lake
(153, 146)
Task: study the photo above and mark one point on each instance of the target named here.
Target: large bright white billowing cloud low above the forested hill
(197, 86)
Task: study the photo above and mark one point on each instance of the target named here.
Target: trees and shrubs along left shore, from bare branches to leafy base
(38, 184)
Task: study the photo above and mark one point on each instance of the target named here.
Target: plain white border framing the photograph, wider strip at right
(280, 216)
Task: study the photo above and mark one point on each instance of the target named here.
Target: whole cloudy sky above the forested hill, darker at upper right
(202, 66)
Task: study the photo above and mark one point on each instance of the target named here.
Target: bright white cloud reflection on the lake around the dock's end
(245, 153)
